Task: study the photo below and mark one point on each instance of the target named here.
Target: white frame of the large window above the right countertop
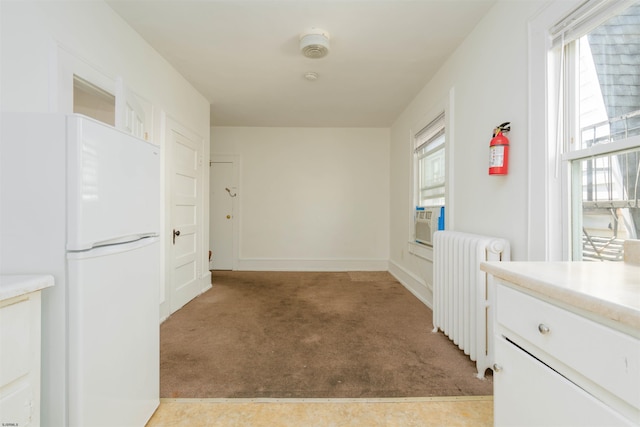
(549, 213)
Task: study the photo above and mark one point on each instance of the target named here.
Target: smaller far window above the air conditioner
(429, 149)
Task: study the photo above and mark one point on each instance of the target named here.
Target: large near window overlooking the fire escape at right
(598, 47)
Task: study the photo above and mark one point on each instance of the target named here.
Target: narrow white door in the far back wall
(223, 191)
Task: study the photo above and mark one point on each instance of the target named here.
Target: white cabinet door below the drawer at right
(529, 393)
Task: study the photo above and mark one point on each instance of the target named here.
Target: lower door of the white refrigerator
(114, 334)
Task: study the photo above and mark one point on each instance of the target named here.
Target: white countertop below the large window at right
(606, 291)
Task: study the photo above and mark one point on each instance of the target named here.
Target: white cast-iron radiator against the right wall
(462, 297)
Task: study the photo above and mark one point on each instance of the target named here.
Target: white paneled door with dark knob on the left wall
(186, 215)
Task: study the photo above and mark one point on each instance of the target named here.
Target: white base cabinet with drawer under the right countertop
(554, 367)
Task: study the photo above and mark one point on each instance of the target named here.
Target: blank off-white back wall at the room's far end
(310, 198)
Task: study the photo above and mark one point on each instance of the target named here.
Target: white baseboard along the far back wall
(258, 264)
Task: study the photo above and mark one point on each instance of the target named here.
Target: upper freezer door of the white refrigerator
(112, 185)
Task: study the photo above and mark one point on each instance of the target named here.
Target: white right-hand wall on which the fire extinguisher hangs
(489, 77)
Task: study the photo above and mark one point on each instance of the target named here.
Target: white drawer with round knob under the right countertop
(605, 356)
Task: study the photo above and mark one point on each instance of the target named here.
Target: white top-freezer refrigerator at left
(81, 200)
